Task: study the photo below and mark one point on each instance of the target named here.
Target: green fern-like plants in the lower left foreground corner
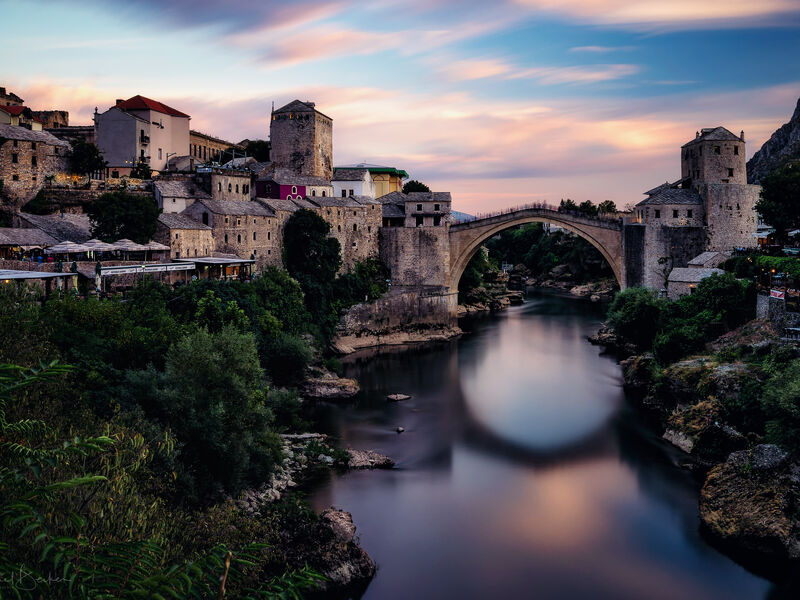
(49, 547)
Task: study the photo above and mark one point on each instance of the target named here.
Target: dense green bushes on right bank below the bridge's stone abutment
(674, 329)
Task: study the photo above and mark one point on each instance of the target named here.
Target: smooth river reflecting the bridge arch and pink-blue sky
(522, 472)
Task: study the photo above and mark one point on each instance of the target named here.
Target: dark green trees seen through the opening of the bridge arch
(539, 250)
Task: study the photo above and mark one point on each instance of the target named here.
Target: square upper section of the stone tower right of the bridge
(715, 156)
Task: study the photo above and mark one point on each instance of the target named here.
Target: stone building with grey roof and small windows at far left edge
(27, 159)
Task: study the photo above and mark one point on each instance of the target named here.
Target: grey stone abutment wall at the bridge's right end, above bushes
(666, 248)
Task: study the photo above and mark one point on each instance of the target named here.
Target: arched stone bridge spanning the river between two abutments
(604, 234)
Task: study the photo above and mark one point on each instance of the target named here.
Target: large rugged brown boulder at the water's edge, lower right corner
(750, 500)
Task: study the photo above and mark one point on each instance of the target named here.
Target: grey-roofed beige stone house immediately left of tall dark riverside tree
(244, 228)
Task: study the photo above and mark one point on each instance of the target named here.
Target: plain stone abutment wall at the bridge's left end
(418, 256)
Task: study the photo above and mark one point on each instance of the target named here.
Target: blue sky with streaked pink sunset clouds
(501, 102)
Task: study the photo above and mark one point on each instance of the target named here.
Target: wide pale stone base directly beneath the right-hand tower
(731, 215)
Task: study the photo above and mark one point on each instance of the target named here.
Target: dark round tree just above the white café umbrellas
(117, 215)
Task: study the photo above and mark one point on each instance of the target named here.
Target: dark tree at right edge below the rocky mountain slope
(778, 205)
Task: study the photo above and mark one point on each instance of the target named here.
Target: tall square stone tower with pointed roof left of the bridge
(301, 139)
